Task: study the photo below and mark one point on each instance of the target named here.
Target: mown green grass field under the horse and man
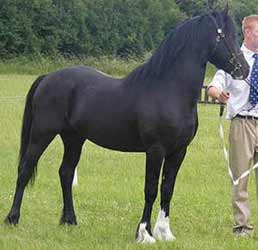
(109, 198)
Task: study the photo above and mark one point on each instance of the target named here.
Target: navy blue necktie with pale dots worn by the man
(253, 96)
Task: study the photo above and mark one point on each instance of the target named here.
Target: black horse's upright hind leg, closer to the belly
(72, 151)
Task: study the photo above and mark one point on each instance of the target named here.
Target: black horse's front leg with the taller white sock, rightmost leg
(170, 169)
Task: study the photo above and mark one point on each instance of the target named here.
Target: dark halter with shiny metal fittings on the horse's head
(221, 36)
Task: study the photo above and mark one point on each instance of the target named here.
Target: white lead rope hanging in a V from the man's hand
(225, 151)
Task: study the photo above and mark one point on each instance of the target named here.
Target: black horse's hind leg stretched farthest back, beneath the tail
(27, 166)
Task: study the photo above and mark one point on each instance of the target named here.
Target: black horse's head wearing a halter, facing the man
(225, 52)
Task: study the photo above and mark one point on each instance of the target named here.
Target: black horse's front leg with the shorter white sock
(154, 159)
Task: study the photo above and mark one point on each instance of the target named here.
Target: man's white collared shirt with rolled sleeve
(239, 90)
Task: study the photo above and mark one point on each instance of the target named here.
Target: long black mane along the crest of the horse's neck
(183, 35)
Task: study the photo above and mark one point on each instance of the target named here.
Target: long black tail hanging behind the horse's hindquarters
(27, 121)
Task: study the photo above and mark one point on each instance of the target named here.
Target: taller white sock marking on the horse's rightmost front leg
(162, 229)
